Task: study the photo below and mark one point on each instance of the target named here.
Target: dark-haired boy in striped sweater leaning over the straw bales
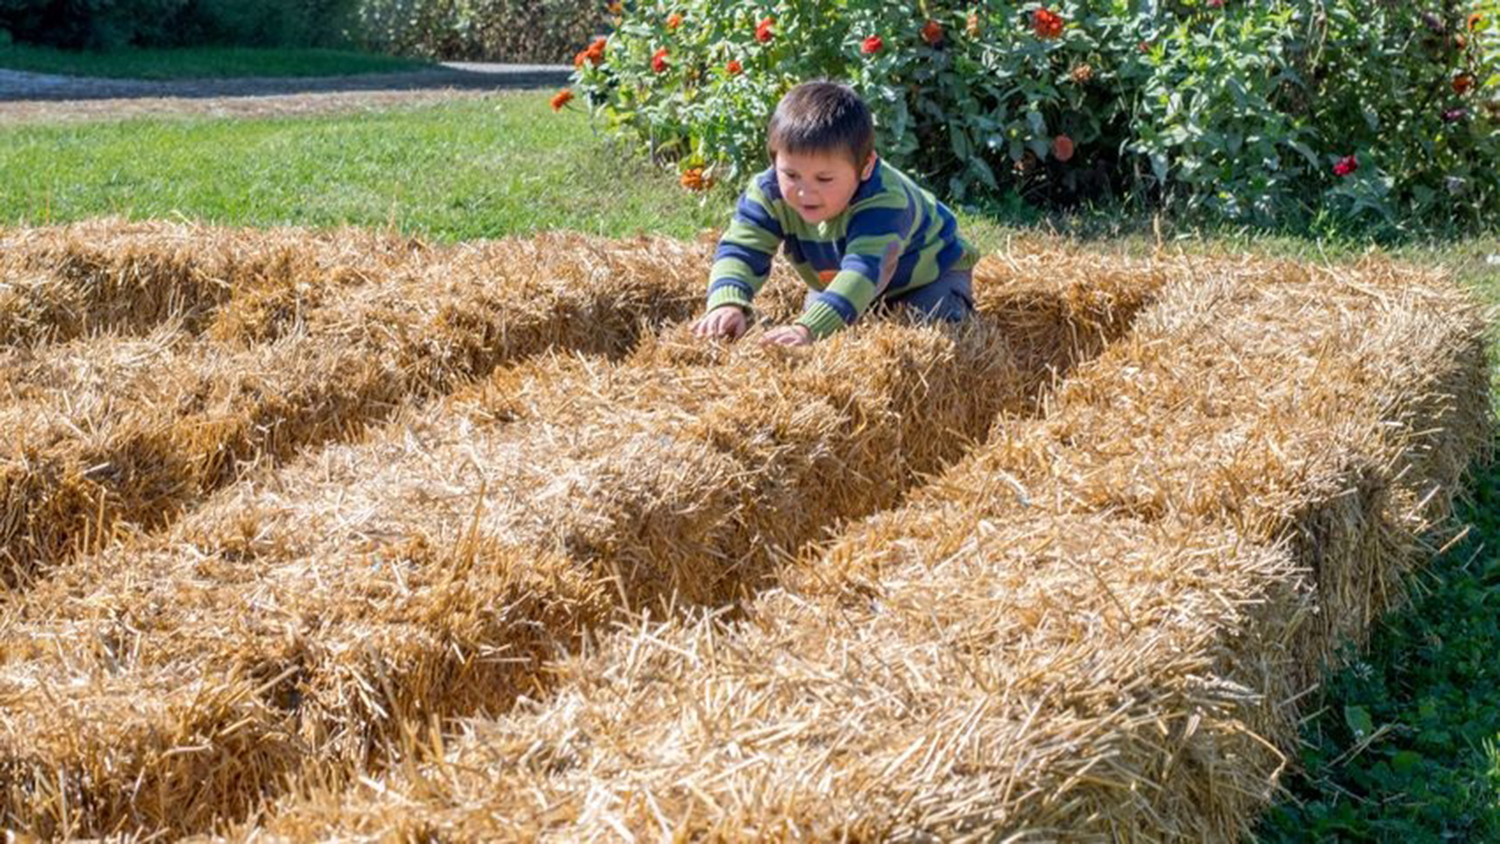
(857, 230)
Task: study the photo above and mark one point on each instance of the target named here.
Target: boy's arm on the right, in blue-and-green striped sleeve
(878, 227)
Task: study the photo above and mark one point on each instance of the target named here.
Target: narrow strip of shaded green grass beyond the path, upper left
(200, 62)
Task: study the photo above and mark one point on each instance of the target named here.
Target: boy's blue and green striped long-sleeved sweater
(839, 259)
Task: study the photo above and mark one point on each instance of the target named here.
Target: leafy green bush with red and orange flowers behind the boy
(1262, 112)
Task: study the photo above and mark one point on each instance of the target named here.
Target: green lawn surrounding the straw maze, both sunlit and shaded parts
(1402, 746)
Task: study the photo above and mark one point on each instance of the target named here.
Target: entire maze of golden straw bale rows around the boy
(890, 587)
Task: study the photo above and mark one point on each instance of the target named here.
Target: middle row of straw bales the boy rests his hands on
(320, 615)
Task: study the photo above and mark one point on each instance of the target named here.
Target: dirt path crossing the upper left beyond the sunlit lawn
(29, 98)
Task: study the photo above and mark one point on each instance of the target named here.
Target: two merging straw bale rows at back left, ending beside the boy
(316, 338)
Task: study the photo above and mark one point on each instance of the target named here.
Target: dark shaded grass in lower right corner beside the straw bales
(1405, 743)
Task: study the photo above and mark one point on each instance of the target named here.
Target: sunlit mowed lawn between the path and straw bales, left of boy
(457, 172)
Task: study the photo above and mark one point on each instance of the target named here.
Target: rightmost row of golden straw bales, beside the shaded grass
(1096, 627)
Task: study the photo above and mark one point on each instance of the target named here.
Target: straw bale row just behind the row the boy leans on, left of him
(131, 431)
